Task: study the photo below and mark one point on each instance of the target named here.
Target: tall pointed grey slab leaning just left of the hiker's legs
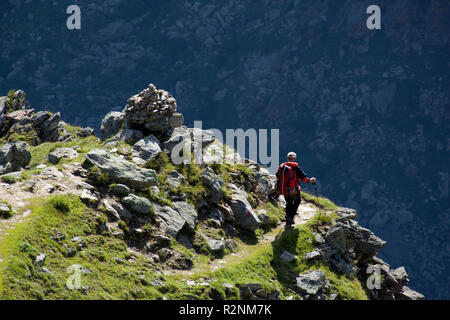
(242, 210)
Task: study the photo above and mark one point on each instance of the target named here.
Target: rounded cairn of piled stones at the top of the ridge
(153, 110)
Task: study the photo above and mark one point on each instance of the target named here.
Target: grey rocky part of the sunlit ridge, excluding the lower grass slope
(151, 203)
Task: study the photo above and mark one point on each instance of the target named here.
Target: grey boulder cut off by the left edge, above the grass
(14, 156)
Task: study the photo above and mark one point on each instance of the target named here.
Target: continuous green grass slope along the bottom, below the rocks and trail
(130, 278)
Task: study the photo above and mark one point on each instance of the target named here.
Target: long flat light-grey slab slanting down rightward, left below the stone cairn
(120, 170)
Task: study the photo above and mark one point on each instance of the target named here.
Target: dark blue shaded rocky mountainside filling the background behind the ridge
(367, 111)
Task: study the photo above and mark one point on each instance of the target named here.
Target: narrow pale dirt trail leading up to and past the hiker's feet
(305, 212)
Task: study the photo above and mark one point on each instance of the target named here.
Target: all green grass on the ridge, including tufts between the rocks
(118, 274)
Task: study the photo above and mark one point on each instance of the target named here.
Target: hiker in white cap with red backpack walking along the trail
(288, 184)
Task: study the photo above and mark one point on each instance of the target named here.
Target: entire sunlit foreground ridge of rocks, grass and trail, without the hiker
(121, 218)
